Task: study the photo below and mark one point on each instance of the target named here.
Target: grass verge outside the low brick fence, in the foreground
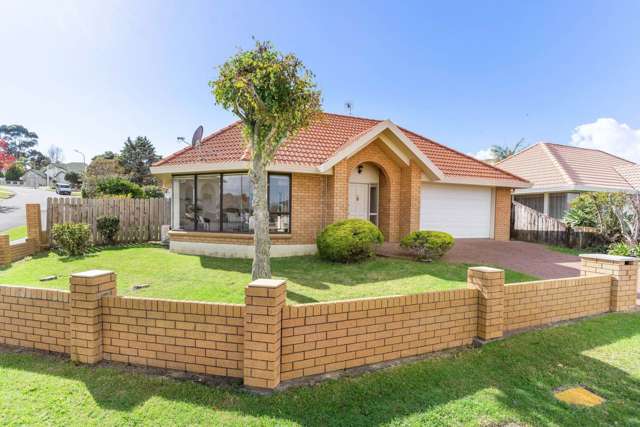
(509, 381)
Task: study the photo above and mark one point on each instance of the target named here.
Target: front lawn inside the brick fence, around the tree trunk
(201, 278)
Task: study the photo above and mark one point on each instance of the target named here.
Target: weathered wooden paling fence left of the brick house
(140, 219)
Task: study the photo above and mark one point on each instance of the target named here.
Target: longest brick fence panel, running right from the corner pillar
(321, 338)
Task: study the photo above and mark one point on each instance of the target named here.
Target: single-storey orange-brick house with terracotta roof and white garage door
(339, 167)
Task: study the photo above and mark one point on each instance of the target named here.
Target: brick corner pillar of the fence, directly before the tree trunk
(264, 301)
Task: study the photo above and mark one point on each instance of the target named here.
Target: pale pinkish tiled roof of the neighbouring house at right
(555, 167)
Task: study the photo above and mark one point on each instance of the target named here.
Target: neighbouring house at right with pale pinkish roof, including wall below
(559, 173)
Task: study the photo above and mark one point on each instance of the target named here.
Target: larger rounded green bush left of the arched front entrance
(349, 240)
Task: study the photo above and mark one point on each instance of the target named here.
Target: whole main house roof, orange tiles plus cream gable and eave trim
(332, 137)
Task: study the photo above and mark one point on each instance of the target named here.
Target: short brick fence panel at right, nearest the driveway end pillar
(549, 301)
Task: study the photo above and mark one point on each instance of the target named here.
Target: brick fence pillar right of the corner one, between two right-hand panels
(490, 283)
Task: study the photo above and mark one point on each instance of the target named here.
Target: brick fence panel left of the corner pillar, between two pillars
(186, 336)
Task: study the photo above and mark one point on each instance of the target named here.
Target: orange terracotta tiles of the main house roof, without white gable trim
(321, 140)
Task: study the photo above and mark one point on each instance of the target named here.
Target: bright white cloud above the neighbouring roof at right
(611, 136)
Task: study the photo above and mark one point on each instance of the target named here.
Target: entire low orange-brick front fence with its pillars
(265, 341)
